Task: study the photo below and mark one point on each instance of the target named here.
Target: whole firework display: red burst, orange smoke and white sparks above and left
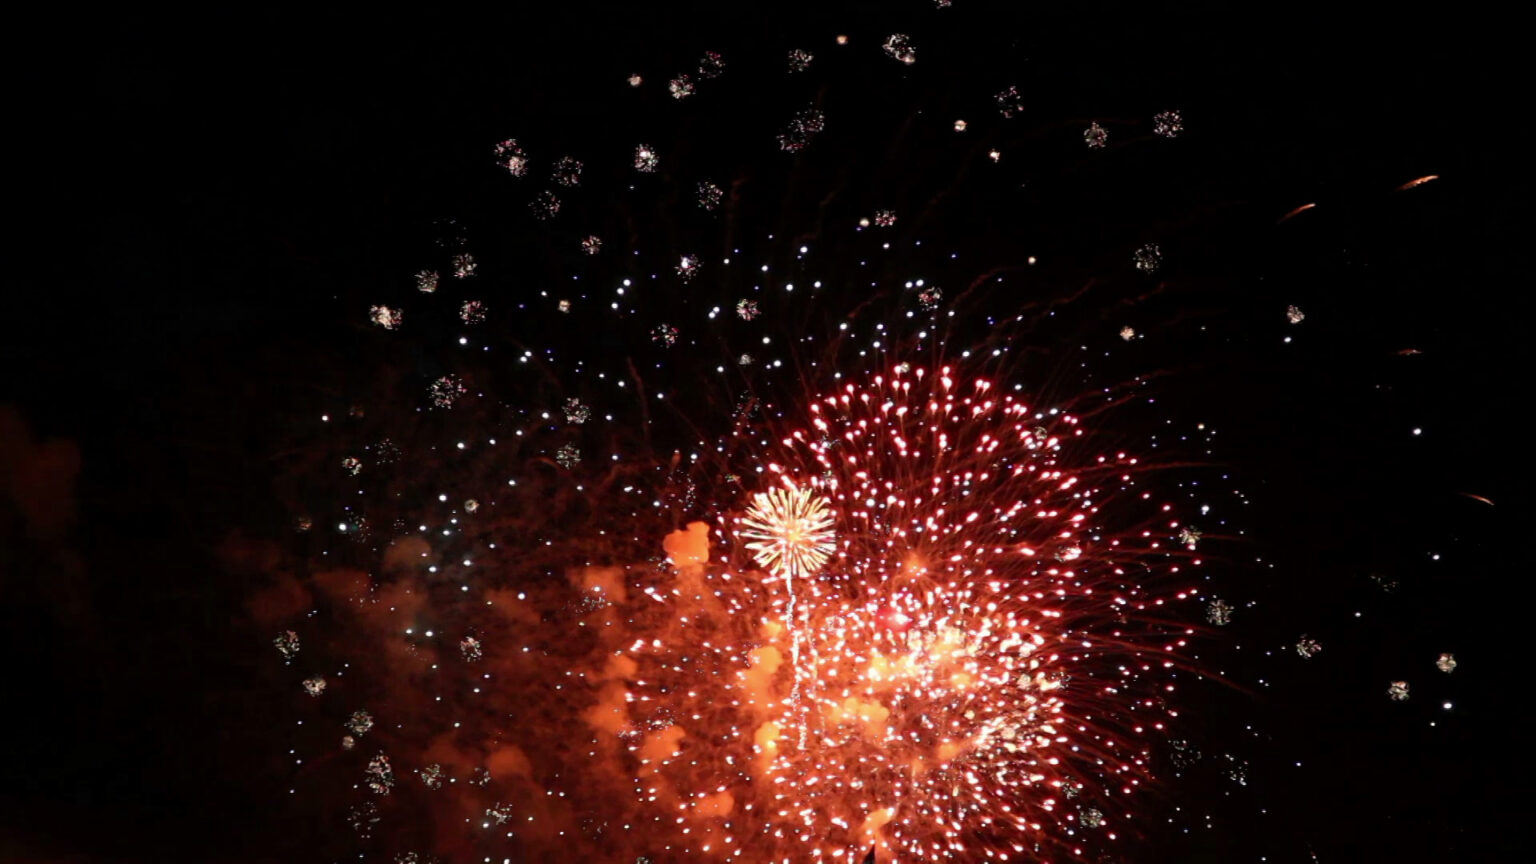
(910, 611)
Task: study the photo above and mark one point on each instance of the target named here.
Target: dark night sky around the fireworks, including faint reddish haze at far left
(210, 207)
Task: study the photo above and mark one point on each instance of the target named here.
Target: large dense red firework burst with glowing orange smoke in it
(924, 659)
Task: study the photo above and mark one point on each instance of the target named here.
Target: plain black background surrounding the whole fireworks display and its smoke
(196, 191)
